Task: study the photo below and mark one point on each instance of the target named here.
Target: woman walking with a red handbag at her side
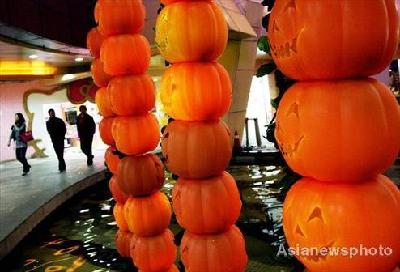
(21, 147)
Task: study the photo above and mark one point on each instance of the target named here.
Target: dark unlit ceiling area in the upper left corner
(66, 21)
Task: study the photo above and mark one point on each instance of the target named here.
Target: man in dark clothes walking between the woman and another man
(57, 130)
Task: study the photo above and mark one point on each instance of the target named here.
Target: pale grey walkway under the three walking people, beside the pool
(22, 196)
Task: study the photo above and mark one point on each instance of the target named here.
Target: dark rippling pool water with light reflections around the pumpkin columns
(79, 236)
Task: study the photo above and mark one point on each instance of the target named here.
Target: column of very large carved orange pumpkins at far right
(339, 129)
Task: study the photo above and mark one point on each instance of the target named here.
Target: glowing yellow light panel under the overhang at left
(35, 67)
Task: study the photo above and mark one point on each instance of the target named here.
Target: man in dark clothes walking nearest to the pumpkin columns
(86, 130)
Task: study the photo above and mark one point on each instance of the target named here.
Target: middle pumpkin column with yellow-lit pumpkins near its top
(196, 92)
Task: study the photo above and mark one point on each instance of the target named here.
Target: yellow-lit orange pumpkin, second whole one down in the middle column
(196, 91)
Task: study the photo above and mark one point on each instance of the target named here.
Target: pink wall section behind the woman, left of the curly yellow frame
(11, 101)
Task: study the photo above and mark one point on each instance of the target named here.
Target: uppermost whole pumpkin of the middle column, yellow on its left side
(191, 32)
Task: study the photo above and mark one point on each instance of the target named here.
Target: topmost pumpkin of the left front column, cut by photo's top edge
(120, 16)
